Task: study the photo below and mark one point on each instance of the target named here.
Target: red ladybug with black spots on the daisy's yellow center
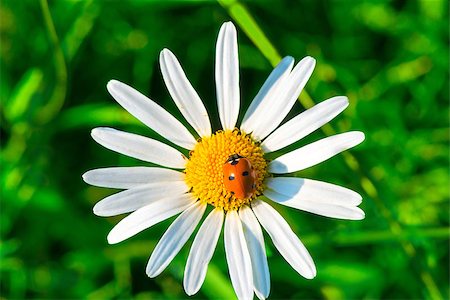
(239, 176)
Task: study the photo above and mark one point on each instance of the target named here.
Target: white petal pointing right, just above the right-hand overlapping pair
(315, 153)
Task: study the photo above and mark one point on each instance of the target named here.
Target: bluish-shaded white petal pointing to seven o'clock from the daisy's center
(174, 238)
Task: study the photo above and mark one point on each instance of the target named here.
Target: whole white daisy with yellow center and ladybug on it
(187, 185)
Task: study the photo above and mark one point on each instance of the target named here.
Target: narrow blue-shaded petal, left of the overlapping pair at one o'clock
(255, 112)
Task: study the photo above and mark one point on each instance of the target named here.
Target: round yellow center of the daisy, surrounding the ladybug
(204, 170)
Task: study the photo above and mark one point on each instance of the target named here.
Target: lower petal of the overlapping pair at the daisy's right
(319, 208)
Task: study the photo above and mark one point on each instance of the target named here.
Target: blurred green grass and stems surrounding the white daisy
(391, 59)
